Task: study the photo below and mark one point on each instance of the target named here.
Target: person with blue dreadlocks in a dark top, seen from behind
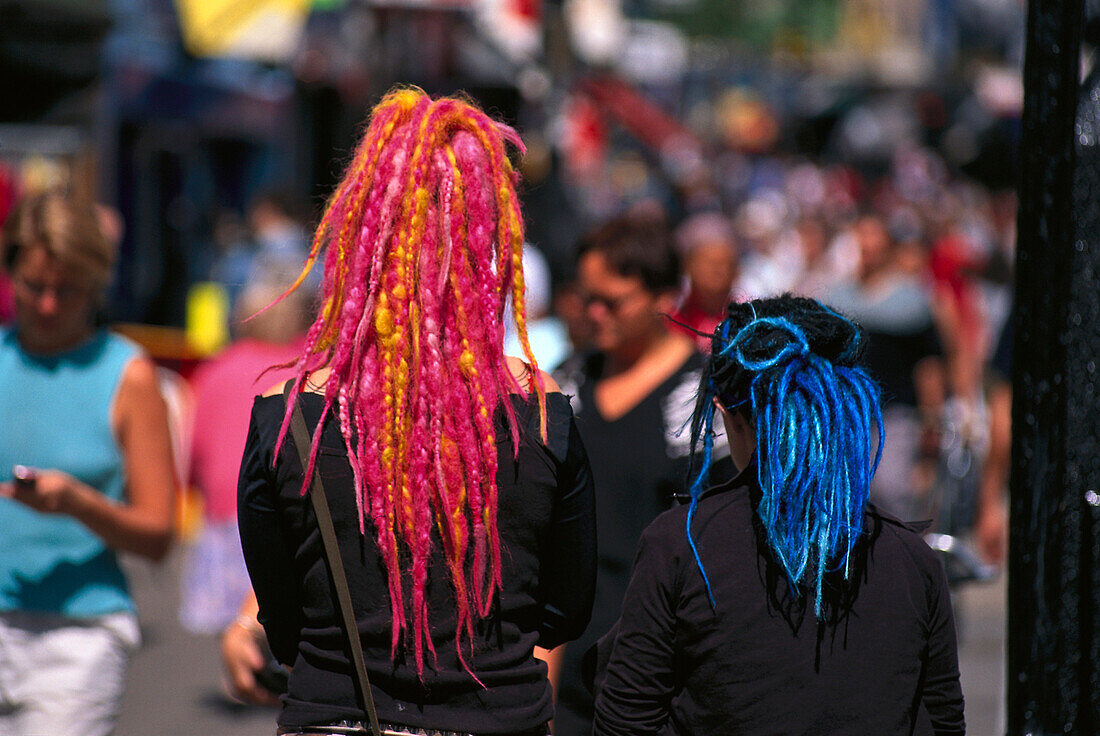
(780, 601)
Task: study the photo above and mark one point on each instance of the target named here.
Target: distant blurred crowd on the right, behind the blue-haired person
(920, 256)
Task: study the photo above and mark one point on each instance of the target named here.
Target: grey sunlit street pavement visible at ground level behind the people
(175, 680)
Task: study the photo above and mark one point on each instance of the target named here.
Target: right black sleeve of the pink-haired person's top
(568, 584)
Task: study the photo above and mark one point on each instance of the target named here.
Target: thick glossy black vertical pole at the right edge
(1057, 412)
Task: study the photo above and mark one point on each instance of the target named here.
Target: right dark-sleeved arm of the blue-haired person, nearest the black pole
(942, 695)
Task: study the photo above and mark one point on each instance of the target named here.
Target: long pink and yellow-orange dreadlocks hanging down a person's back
(424, 244)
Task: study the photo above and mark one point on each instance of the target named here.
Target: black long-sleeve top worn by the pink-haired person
(547, 532)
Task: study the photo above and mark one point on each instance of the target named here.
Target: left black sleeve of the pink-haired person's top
(266, 545)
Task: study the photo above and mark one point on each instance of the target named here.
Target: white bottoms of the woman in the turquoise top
(62, 676)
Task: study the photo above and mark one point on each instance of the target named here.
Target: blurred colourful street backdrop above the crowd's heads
(178, 112)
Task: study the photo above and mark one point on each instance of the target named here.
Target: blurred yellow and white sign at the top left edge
(258, 30)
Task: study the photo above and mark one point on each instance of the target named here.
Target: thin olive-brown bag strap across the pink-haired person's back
(336, 564)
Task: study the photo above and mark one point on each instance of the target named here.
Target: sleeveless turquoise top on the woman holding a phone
(56, 414)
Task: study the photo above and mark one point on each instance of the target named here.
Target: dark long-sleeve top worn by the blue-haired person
(884, 661)
